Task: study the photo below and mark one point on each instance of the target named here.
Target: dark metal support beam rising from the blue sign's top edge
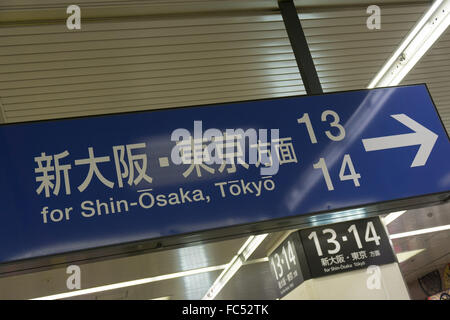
(300, 47)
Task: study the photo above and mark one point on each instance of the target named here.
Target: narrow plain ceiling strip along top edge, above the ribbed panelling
(33, 10)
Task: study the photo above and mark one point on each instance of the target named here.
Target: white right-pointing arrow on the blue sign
(421, 136)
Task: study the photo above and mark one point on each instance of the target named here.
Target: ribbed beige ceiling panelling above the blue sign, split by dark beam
(121, 65)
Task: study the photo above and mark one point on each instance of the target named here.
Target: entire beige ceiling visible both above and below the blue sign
(141, 55)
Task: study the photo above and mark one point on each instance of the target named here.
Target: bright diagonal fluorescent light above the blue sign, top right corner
(415, 45)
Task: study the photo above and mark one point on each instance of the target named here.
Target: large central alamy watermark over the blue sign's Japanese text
(263, 148)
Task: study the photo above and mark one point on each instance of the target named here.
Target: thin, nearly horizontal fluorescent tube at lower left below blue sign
(130, 283)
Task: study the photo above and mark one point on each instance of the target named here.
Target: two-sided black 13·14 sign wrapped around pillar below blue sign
(329, 249)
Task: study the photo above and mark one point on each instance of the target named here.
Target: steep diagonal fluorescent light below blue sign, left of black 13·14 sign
(234, 265)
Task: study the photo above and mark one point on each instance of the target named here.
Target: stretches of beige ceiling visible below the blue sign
(252, 281)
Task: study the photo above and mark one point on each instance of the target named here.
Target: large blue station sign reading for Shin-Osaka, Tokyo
(82, 183)
